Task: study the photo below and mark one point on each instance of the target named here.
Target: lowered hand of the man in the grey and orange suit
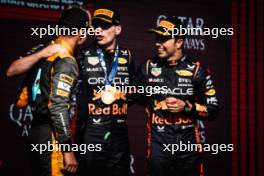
(70, 163)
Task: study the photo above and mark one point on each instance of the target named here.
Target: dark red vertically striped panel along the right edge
(247, 87)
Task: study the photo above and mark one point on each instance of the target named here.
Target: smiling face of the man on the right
(167, 47)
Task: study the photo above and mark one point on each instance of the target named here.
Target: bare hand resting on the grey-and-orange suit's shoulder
(50, 50)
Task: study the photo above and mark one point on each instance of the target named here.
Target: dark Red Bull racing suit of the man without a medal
(192, 83)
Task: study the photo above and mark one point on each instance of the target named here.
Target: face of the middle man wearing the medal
(107, 33)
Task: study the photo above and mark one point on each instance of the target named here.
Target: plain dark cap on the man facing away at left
(74, 18)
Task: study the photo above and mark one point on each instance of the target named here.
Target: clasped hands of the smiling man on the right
(175, 105)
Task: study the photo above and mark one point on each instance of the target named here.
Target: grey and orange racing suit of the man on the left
(50, 90)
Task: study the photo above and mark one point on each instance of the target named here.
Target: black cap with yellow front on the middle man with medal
(106, 15)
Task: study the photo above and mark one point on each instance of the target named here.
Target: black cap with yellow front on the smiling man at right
(166, 26)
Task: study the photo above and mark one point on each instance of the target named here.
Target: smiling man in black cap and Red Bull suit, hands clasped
(173, 112)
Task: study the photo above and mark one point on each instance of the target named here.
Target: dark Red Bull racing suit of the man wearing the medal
(102, 116)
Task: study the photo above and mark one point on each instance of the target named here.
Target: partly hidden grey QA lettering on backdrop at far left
(22, 117)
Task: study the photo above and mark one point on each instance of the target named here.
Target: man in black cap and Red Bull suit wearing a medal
(102, 109)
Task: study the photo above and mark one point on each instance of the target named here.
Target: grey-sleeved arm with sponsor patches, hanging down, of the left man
(63, 78)
